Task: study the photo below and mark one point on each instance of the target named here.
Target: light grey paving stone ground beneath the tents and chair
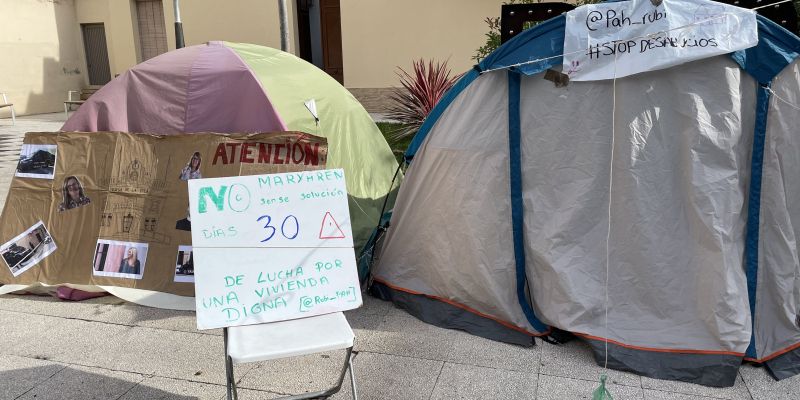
(106, 348)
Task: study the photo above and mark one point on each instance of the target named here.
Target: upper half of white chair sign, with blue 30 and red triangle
(298, 209)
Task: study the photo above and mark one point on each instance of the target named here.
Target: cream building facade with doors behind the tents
(48, 47)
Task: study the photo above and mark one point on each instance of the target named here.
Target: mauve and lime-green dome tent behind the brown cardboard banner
(234, 87)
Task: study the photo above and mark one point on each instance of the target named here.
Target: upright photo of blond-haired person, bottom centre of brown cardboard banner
(119, 259)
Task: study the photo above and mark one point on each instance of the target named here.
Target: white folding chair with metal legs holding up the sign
(294, 338)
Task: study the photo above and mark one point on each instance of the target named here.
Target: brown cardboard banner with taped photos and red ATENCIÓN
(112, 209)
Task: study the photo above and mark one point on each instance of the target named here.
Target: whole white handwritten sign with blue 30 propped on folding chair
(272, 247)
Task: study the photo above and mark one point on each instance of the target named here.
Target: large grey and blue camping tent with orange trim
(512, 208)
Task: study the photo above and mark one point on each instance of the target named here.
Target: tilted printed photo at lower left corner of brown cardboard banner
(27, 249)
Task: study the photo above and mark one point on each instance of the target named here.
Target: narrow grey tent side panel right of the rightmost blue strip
(774, 261)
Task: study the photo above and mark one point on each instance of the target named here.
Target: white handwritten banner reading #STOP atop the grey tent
(608, 40)
